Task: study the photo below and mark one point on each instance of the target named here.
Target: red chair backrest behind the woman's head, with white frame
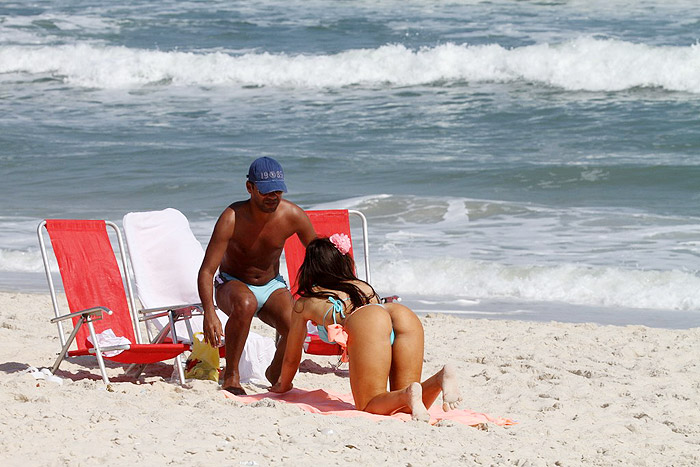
(326, 223)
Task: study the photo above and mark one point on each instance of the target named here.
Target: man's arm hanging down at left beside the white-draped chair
(223, 231)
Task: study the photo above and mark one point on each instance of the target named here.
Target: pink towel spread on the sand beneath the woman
(342, 405)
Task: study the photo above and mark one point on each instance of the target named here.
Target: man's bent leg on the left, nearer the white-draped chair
(239, 303)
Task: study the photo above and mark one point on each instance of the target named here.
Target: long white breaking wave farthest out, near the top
(583, 64)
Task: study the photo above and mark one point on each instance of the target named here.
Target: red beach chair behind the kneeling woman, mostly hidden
(326, 223)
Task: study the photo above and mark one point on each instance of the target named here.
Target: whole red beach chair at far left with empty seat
(96, 297)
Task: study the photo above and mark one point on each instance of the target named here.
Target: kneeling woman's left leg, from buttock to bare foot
(370, 352)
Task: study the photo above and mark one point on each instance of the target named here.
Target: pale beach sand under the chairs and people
(582, 394)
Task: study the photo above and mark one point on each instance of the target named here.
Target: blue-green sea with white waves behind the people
(527, 160)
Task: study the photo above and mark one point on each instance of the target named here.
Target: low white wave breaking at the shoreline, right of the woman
(595, 286)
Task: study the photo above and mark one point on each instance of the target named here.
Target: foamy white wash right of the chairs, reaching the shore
(431, 248)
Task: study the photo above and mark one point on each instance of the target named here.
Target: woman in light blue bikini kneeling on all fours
(384, 342)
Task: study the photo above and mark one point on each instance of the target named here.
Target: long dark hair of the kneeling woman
(324, 267)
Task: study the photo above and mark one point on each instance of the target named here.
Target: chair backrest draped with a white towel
(165, 257)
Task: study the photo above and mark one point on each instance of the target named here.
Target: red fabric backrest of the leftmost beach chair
(90, 275)
